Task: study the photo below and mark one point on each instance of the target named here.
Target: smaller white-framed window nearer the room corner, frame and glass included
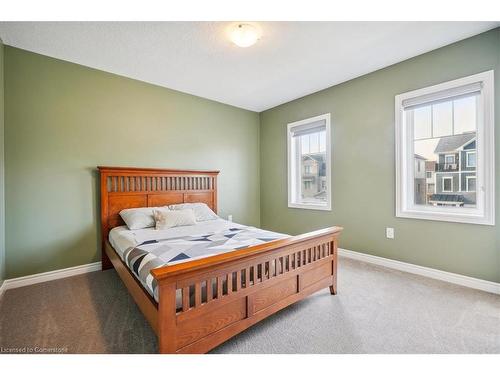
(309, 170)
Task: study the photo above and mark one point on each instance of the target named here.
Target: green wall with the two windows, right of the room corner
(363, 173)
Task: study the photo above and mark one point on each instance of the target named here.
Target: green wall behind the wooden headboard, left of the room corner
(63, 119)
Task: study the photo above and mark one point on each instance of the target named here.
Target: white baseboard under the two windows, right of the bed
(454, 278)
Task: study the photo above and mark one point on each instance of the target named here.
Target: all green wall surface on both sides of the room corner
(62, 119)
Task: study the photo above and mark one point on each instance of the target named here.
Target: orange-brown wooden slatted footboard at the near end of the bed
(235, 290)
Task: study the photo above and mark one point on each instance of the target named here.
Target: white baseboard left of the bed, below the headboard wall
(47, 276)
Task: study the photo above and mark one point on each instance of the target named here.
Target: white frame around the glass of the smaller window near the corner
(291, 163)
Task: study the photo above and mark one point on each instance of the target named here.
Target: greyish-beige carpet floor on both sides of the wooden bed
(377, 311)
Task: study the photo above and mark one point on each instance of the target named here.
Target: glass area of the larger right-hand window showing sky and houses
(442, 153)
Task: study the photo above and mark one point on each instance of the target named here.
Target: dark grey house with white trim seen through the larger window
(455, 180)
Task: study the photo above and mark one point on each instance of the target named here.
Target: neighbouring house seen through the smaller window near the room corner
(314, 176)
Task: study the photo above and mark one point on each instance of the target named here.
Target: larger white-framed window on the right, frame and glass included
(450, 127)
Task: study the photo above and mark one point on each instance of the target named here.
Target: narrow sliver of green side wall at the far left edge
(2, 184)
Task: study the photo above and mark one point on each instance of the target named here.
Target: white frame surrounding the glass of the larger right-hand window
(484, 212)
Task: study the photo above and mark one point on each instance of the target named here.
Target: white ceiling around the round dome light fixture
(291, 60)
